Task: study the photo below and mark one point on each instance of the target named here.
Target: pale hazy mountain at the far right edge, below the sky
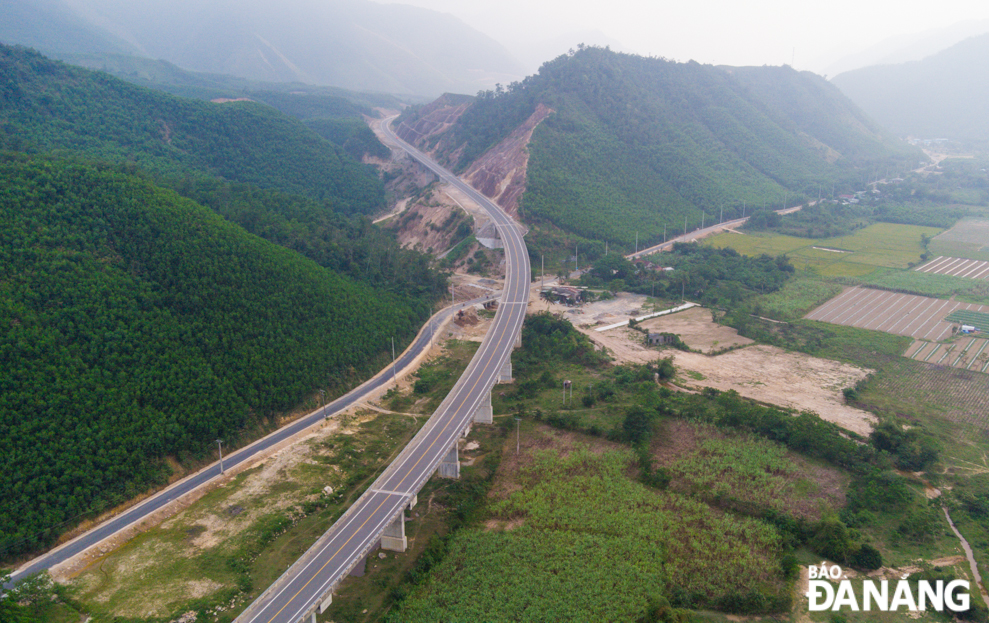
(941, 96)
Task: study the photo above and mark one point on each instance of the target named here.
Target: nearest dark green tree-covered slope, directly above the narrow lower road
(137, 324)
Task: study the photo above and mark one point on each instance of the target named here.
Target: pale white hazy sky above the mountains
(813, 33)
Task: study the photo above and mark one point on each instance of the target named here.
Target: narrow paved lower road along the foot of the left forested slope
(134, 515)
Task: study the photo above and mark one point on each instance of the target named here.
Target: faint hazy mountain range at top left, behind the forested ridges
(354, 44)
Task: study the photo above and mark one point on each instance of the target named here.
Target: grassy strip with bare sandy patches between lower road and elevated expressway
(238, 538)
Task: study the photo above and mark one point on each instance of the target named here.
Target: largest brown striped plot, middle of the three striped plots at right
(919, 317)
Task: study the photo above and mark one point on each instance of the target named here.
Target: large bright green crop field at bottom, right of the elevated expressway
(595, 543)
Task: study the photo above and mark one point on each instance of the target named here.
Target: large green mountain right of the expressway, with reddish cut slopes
(636, 144)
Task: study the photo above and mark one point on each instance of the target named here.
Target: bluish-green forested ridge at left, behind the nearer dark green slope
(48, 105)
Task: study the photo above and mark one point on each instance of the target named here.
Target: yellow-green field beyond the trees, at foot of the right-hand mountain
(882, 245)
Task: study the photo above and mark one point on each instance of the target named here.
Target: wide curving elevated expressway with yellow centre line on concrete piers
(302, 589)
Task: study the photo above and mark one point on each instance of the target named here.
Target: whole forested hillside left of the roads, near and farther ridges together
(139, 324)
